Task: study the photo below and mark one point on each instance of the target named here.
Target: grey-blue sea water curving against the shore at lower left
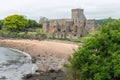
(14, 64)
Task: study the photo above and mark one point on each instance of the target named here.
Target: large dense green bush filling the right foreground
(99, 57)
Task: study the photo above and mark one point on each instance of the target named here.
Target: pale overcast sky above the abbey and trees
(53, 9)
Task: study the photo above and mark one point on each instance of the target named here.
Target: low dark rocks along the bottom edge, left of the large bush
(50, 75)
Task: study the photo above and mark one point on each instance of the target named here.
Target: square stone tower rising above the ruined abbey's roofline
(78, 14)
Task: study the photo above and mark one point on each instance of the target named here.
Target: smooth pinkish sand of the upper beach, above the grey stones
(37, 48)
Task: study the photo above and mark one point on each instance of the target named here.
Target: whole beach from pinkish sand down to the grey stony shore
(47, 55)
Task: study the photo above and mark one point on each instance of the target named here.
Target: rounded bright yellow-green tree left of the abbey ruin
(15, 22)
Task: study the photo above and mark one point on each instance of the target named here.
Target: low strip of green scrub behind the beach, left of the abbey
(29, 35)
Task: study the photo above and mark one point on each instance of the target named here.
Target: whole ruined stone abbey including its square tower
(69, 28)
